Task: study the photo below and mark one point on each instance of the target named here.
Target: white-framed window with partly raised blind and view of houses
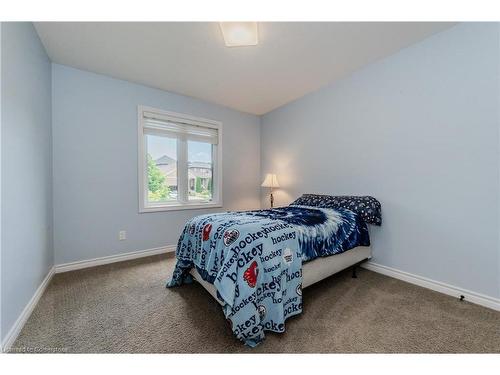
(179, 161)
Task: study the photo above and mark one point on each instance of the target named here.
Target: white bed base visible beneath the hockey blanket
(313, 271)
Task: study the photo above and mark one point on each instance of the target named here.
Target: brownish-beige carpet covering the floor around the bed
(124, 307)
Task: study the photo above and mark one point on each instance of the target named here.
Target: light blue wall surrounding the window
(95, 164)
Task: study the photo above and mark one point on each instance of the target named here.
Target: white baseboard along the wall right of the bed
(479, 299)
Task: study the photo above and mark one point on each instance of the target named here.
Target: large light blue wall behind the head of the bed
(420, 131)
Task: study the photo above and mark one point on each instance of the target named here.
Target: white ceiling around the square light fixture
(291, 59)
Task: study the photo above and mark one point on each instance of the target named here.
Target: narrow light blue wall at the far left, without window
(26, 159)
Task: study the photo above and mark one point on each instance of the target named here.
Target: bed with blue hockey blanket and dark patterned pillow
(256, 263)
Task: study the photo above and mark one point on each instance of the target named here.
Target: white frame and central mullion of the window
(184, 204)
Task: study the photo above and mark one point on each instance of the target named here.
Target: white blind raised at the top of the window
(158, 126)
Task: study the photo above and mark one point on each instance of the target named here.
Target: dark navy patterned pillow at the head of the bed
(368, 208)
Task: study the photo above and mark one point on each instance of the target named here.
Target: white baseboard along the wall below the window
(72, 266)
